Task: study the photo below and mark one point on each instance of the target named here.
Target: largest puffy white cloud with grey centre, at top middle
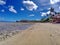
(30, 5)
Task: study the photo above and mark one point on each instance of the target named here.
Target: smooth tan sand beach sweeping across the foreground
(39, 34)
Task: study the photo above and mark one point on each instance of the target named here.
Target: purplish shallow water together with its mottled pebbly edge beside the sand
(9, 29)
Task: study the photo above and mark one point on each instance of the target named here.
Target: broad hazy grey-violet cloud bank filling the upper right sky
(49, 3)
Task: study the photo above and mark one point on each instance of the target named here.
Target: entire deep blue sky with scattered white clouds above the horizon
(12, 10)
